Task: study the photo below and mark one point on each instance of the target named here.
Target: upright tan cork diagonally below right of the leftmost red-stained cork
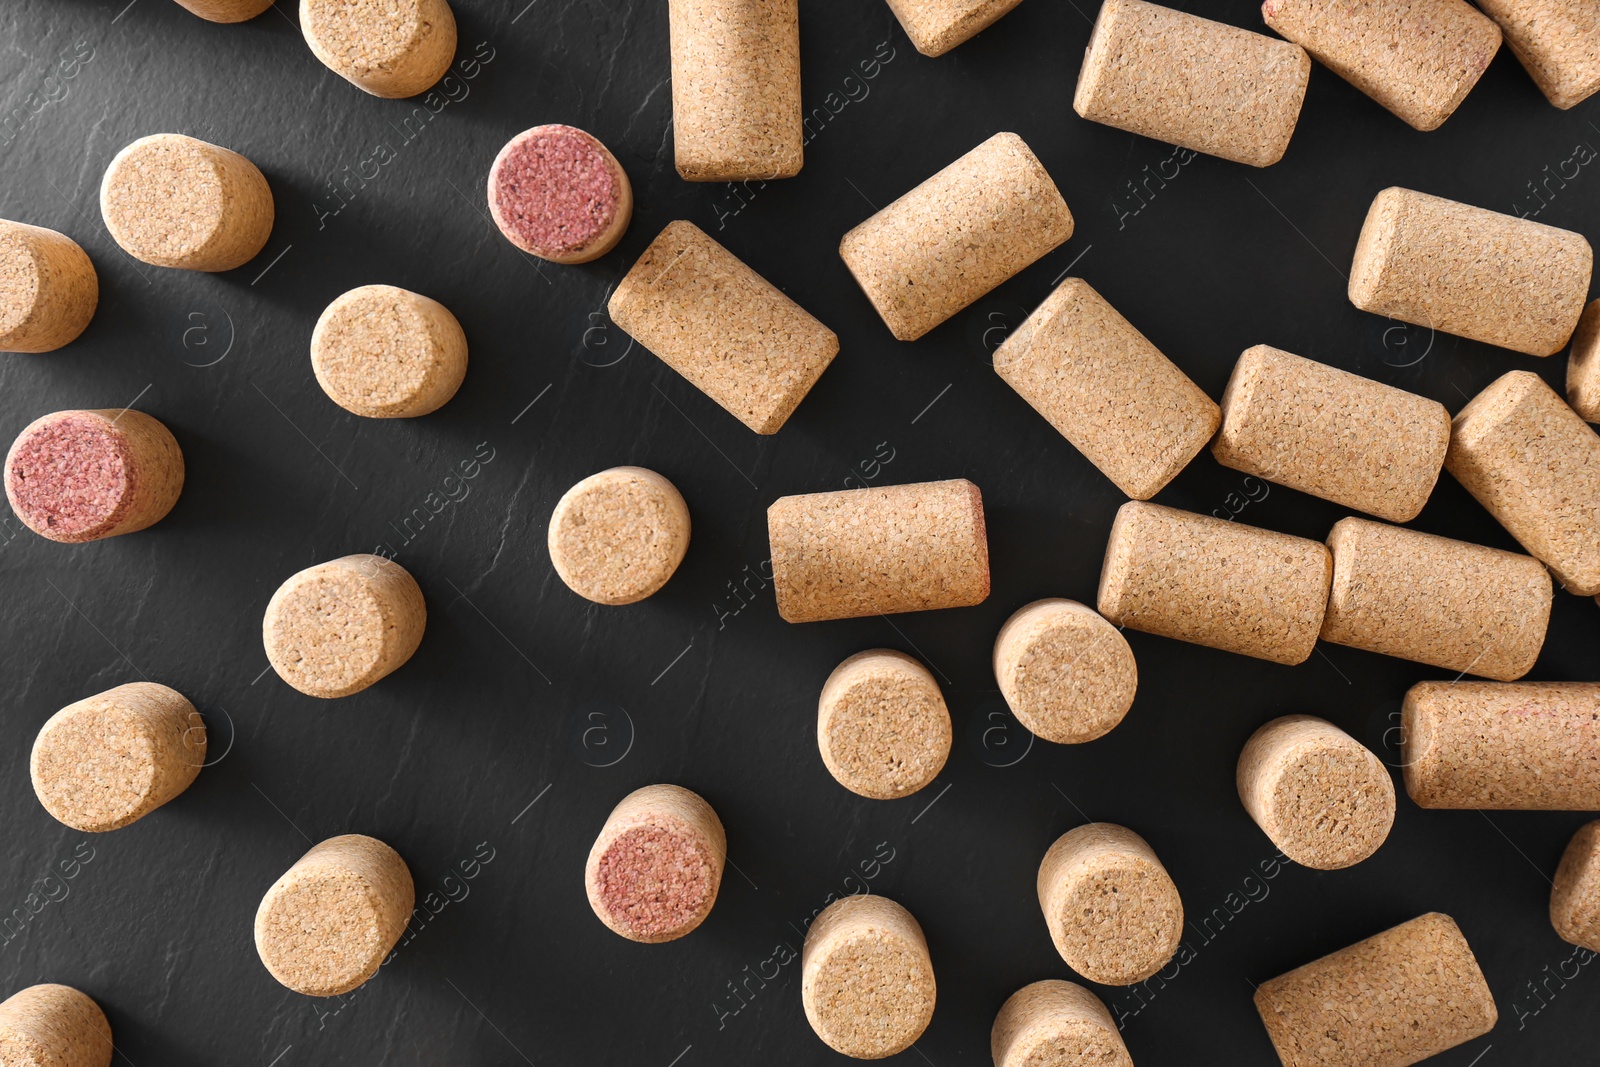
(338, 628)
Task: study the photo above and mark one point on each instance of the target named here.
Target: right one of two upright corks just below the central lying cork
(1066, 673)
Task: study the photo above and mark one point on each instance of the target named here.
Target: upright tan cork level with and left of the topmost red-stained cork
(178, 202)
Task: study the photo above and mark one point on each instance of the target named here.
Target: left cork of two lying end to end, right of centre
(1202, 580)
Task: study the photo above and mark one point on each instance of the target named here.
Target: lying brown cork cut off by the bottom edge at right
(1391, 1001)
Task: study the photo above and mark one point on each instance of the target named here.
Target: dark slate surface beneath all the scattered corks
(526, 693)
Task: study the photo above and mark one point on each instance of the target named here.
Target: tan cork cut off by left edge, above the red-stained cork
(49, 289)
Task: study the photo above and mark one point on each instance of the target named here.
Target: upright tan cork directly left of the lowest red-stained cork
(329, 924)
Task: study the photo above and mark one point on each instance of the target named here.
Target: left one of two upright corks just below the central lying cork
(882, 725)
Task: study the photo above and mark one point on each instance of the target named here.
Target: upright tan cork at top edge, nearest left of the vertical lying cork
(383, 47)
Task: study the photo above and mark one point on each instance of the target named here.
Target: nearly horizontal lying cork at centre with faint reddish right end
(857, 553)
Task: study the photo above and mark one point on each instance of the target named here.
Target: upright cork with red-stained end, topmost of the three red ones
(559, 194)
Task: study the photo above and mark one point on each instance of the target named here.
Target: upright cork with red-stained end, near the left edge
(84, 476)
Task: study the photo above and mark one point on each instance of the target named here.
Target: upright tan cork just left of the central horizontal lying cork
(618, 537)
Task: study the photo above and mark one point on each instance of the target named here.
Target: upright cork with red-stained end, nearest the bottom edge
(655, 869)
